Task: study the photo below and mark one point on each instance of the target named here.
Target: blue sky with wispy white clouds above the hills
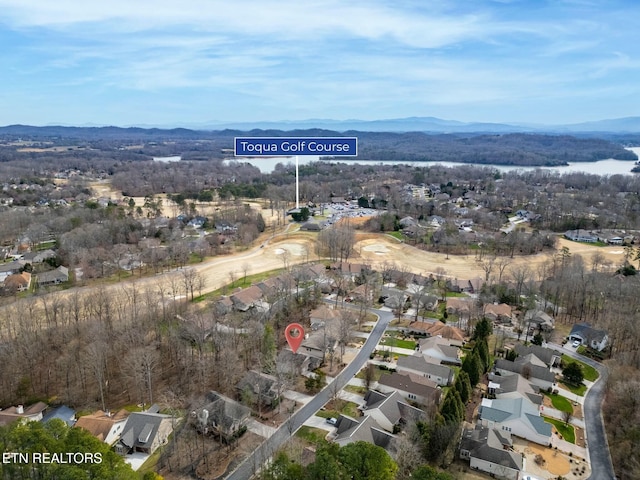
(195, 62)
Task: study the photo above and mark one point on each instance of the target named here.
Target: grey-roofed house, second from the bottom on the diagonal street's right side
(389, 410)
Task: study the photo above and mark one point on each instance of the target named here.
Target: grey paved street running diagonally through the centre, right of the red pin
(257, 458)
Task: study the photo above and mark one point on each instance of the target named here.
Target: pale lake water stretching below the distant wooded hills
(601, 167)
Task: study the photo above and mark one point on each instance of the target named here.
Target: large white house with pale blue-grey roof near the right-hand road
(517, 416)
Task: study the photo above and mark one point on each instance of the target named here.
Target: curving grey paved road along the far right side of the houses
(599, 455)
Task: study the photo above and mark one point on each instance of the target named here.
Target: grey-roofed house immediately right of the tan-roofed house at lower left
(145, 432)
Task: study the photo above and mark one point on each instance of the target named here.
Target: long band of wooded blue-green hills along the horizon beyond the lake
(525, 149)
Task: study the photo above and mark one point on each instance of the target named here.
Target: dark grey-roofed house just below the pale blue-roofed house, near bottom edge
(491, 451)
